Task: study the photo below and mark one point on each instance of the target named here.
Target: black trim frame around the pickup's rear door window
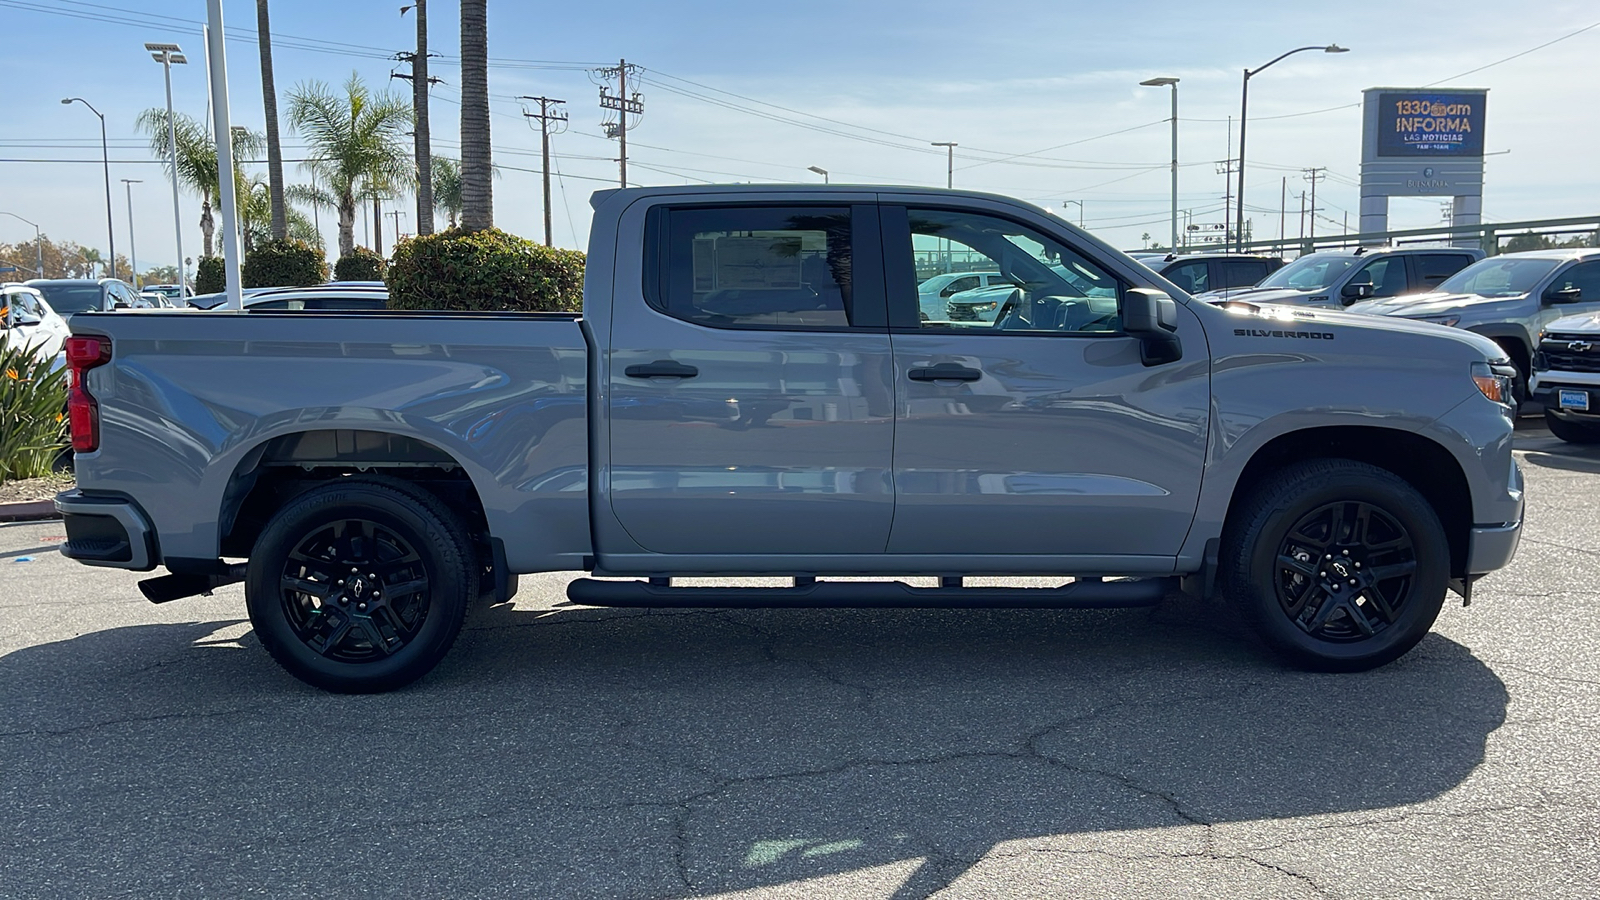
(868, 297)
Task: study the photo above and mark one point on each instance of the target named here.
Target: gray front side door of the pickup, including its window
(1039, 432)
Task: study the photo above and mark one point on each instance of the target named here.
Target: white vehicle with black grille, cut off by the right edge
(1567, 377)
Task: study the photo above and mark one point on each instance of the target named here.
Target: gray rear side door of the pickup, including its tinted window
(750, 390)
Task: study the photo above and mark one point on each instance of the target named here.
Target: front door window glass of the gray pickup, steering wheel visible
(1044, 287)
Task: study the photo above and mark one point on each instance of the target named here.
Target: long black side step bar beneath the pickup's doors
(873, 595)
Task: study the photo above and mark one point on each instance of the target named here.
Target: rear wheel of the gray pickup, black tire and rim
(327, 625)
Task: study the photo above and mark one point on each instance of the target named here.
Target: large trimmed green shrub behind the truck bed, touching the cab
(487, 271)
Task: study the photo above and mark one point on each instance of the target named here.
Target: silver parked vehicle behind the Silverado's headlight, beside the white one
(1508, 299)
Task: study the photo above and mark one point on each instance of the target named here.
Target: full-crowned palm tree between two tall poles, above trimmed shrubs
(356, 140)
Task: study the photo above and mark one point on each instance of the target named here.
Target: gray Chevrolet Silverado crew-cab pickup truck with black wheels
(753, 392)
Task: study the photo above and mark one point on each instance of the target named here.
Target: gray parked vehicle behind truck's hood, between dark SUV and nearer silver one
(1335, 279)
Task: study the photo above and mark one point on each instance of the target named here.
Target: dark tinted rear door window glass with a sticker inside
(758, 268)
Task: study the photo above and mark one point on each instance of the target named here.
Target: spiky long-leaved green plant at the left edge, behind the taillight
(33, 425)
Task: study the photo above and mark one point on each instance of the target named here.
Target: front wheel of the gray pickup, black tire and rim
(1340, 566)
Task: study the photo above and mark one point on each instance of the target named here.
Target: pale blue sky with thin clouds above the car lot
(870, 84)
